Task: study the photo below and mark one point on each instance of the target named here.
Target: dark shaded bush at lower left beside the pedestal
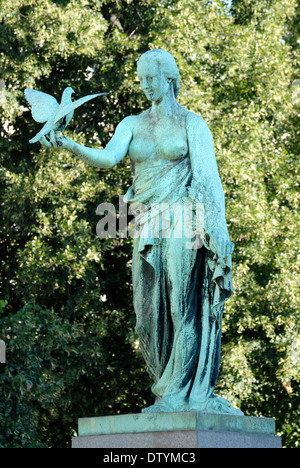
(56, 365)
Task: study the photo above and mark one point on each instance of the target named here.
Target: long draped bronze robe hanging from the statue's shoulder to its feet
(179, 292)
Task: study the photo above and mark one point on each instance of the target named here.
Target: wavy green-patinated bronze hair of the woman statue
(167, 64)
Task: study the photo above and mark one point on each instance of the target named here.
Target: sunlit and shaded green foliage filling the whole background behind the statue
(66, 308)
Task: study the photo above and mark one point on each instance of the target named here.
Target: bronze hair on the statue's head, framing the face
(163, 61)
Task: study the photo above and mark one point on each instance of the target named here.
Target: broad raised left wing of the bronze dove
(43, 106)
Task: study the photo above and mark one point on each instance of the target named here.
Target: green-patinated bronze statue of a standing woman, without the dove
(179, 292)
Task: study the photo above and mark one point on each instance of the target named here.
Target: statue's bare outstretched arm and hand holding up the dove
(105, 158)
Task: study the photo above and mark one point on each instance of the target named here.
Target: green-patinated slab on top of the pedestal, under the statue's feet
(156, 422)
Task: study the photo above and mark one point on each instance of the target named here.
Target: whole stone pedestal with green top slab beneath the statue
(176, 431)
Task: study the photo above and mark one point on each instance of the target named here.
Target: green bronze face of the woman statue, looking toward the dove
(153, 81)
